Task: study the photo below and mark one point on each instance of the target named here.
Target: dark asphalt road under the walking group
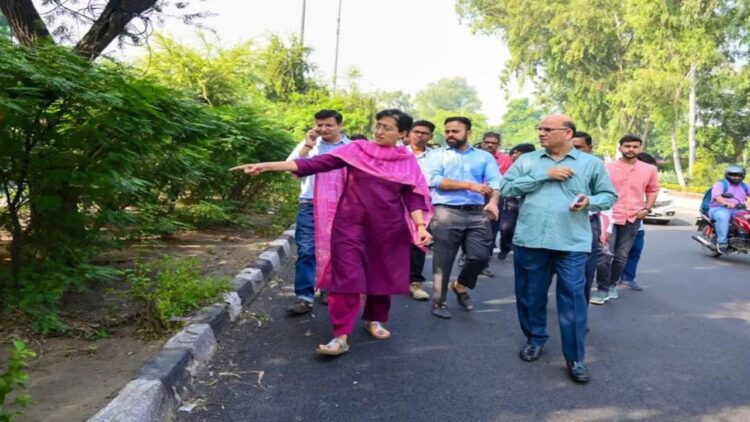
(677, 351)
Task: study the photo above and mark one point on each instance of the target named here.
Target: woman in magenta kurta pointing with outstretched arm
(371, 203)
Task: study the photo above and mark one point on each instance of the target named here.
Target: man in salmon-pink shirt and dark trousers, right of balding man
(637, 186)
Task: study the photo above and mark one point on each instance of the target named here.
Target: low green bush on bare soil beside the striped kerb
(170, 288)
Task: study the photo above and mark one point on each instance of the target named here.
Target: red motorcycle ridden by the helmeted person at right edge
(739, 232)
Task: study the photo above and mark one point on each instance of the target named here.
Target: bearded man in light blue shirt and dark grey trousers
(464, 182)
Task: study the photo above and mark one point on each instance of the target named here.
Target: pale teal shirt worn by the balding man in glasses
(545, 219)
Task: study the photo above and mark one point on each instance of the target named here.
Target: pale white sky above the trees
(395, 44)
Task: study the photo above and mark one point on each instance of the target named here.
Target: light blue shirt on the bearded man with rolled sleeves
(470, 165)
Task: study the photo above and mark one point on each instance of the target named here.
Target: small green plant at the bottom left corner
(14, 379)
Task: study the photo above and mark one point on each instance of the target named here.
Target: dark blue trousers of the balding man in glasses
(533, 270)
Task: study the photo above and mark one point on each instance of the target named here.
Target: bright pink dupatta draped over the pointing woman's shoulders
(395, 164)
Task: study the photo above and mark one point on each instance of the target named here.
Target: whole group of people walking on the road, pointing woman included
(369, 211)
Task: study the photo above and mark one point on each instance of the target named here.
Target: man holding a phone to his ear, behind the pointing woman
(323, 138)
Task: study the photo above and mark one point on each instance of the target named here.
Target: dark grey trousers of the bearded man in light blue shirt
(453, 229)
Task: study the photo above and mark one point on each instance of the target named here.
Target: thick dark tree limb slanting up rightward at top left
(110, 24)
